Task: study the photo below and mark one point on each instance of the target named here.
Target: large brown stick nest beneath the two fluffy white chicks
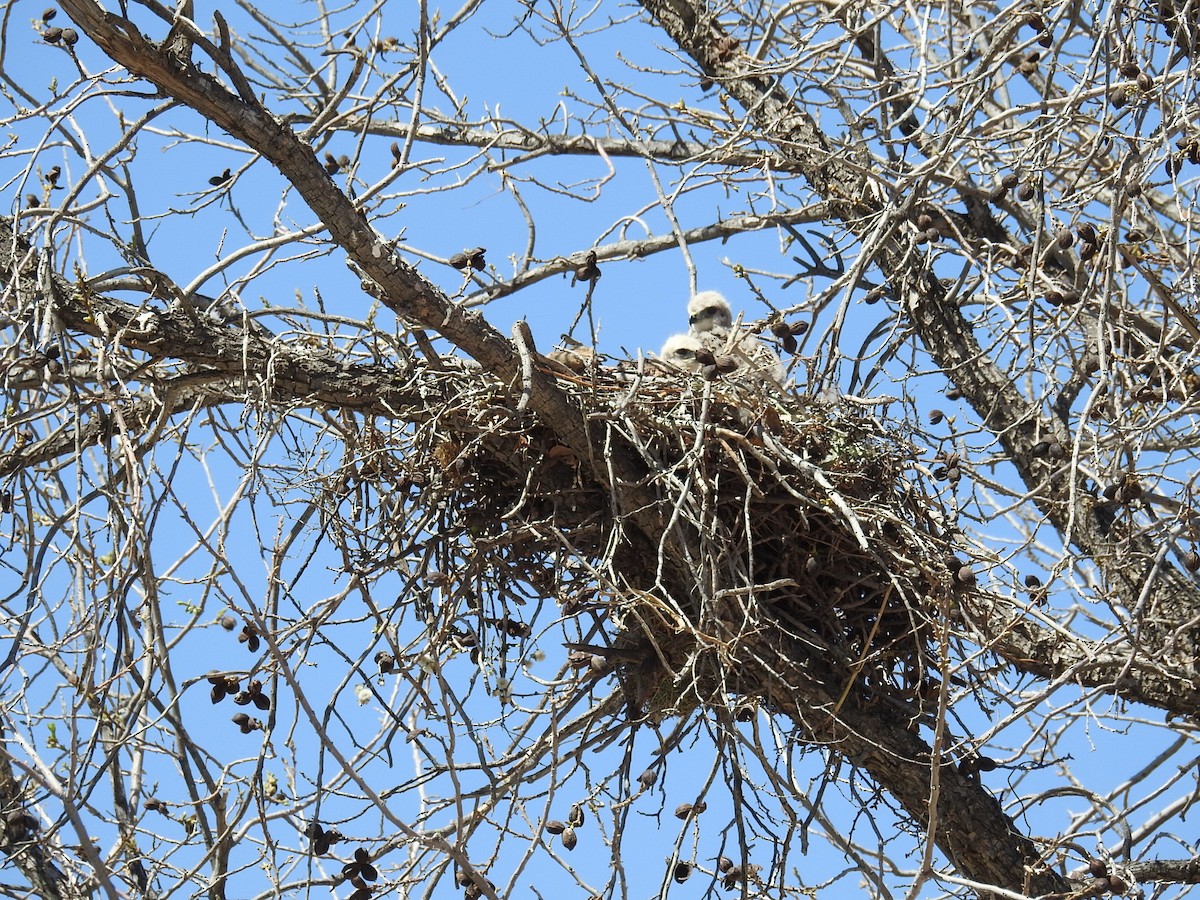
(800, 519)
